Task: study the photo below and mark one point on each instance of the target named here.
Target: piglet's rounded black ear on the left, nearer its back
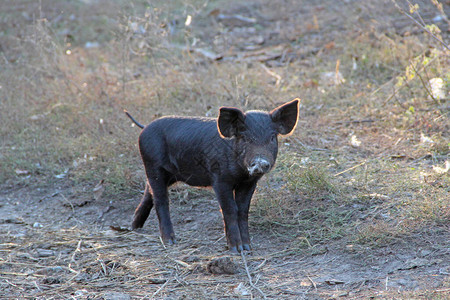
(231, 122)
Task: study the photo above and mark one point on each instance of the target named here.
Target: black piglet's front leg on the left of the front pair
(224, 193)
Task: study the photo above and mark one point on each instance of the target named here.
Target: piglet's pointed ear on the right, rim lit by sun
(285, 117)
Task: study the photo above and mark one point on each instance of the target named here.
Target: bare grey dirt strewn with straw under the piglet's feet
(57, 246)
